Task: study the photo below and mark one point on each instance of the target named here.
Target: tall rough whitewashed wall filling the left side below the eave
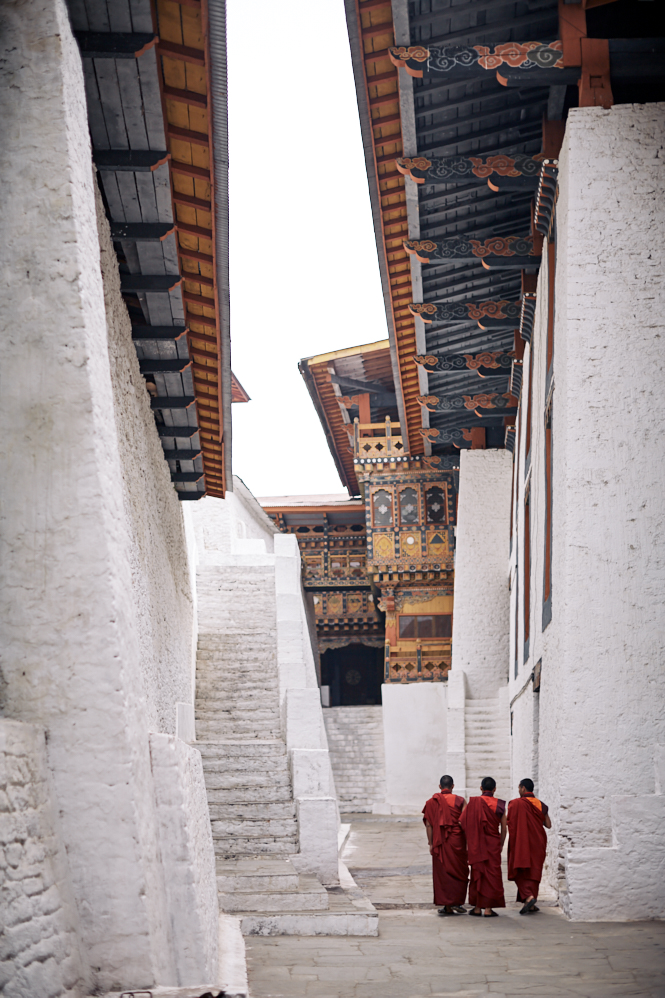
(96, 607)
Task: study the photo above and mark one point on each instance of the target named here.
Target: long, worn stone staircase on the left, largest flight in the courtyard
(250, 798)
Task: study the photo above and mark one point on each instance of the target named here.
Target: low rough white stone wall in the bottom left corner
(39, 947)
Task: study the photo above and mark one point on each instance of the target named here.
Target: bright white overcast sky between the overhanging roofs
(304, 271)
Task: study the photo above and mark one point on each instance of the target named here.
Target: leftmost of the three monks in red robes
(447, 846)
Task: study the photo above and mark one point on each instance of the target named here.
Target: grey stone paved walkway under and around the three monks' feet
(417, 953)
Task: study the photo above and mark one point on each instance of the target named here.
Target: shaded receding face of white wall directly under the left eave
(161, 582)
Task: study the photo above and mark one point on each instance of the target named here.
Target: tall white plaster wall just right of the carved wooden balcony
(481, 602)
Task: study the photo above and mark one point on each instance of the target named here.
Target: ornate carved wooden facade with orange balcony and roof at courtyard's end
(407, 516)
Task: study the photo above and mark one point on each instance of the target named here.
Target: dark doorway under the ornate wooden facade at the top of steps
(354, 675)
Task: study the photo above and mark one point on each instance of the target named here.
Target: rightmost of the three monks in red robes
(527, 844)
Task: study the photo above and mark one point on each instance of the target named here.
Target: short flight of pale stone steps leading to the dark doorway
(357, 755)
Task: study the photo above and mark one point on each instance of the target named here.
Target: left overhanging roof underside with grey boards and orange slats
(155, 80)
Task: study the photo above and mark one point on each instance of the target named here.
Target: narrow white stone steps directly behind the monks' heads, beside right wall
(487, 746)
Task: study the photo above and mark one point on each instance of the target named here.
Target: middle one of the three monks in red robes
(484, 824)
